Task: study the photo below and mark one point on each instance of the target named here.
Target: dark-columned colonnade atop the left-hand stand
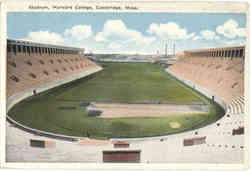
(18, 46)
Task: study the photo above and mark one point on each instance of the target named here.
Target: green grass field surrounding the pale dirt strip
(118, 82)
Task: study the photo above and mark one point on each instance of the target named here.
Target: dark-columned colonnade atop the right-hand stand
(227, 52)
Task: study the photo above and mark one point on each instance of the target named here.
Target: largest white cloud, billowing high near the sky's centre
(118, 30)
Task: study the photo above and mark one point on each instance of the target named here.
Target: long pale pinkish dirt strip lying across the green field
(118, 110)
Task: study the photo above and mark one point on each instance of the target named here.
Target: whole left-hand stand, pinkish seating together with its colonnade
(31, 64)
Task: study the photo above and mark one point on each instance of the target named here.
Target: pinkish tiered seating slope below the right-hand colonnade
(222, 76)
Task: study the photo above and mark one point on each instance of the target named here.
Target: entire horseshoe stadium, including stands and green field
(65, 107)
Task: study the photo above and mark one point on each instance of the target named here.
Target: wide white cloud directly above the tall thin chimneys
(171, 30)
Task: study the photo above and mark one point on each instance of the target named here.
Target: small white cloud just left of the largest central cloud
(79, 32)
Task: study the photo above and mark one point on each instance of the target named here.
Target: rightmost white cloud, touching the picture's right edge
(230, 29)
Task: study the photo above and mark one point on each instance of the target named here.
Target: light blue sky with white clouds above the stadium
(144, 33)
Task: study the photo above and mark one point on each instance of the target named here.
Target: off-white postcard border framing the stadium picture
(156, 6)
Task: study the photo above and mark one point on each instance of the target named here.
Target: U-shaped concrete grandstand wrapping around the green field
(216, 73)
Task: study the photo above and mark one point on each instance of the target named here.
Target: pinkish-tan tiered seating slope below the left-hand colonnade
(26, 71)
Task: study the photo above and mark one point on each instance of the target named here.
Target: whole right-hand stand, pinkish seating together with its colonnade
(219, 70)
